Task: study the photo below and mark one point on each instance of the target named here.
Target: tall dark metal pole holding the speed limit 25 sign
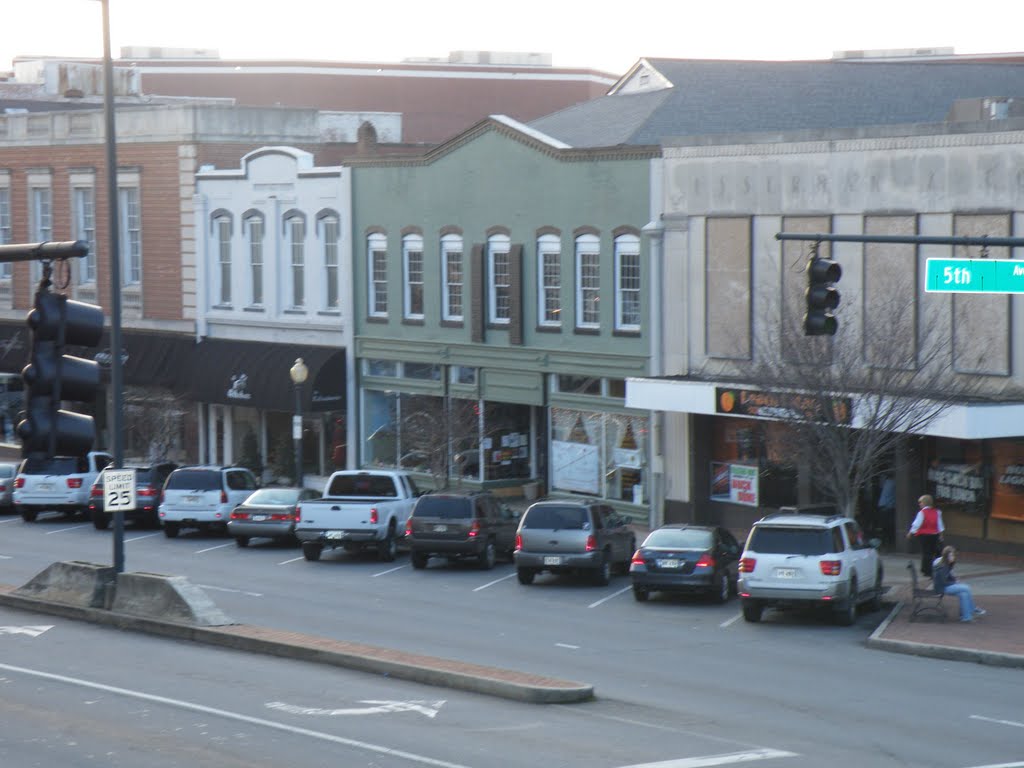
(115, 260)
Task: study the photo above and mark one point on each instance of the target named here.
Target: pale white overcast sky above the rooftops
(610, 37)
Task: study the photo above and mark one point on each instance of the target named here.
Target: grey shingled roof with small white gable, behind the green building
(663, 98)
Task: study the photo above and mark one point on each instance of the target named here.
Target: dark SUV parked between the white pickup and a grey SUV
(460, 525)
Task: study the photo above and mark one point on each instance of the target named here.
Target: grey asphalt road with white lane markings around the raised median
(677, 680)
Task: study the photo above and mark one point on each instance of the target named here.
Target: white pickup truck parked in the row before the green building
(360, 509)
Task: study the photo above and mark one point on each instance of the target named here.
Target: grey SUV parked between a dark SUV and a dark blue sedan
(562, 537)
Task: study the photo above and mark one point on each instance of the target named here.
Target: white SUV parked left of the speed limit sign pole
(60, 484)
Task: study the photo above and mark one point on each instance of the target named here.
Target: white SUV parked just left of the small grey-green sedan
(203, 498)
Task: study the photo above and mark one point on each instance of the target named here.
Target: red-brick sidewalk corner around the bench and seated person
(997, 638)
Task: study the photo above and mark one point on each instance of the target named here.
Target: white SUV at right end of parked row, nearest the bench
(795, 559)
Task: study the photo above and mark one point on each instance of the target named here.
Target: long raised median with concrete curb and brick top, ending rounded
(430, 670)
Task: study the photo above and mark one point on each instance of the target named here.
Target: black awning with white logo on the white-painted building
(255, 374)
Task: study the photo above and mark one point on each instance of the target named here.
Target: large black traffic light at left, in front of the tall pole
(53, 377)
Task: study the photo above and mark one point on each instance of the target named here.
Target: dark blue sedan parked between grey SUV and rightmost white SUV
(687, 559)
